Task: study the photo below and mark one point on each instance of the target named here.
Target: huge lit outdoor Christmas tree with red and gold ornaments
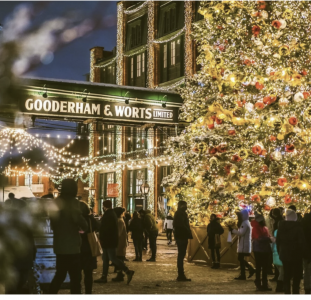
(249, 108)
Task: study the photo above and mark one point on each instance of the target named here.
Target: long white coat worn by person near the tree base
(245, 234)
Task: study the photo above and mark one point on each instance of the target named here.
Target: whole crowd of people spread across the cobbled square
(281, 241)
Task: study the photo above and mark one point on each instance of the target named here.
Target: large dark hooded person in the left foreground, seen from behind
(66, 222)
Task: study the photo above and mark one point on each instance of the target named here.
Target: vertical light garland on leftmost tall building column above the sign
(120, 49)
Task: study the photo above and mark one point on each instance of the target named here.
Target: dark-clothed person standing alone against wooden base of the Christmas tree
(214, 229)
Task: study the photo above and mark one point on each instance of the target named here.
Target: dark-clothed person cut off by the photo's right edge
(306, 224)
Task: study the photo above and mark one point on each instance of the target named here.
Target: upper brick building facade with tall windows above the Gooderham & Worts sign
(154, 48)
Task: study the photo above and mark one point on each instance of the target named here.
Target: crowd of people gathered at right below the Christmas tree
(282, 240)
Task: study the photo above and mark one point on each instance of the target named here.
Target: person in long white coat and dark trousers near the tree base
(244, 232)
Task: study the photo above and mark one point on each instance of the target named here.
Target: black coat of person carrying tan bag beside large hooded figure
(88, 262)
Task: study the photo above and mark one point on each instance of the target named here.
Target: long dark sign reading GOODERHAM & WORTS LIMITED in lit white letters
(99, 109)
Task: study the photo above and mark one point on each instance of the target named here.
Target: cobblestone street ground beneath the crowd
(160, 277)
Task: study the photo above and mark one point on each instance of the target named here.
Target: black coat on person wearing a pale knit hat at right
(290, 241)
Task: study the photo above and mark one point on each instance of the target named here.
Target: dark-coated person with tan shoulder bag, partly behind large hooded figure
(88, 261)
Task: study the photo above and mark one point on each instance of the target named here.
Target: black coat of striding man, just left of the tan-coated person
(108, 232)
